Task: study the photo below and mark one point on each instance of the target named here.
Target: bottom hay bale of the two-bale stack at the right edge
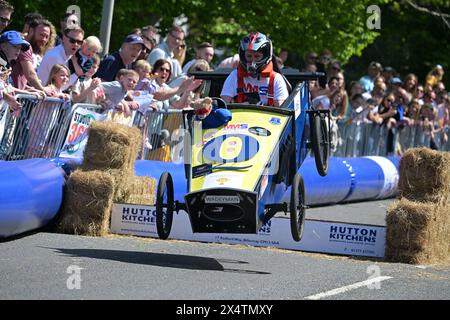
(417, 233)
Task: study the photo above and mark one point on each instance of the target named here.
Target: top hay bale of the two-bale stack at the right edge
(425, 175)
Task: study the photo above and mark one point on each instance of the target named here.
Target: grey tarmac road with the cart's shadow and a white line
(56, 266)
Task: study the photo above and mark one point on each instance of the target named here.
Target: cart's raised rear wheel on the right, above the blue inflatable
(320, 141)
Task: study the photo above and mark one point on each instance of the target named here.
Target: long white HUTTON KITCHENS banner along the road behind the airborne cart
(318, 236)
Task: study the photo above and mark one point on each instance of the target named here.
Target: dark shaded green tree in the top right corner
(410, 41)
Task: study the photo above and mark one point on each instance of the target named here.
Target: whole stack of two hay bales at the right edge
(418, 225)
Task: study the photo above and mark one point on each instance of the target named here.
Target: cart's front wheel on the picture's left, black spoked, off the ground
(164, 205)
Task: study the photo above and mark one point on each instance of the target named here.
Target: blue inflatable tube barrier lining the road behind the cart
(31, 191)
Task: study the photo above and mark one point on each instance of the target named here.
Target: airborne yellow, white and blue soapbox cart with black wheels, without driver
(239, 172)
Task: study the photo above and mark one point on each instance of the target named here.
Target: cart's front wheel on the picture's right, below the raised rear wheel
(297, 207)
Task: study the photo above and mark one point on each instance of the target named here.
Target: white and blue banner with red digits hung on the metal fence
(77, 135)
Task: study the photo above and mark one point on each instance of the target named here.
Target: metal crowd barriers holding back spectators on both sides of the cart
(45, 128)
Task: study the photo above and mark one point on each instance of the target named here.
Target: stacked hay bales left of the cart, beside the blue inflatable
(106, 176)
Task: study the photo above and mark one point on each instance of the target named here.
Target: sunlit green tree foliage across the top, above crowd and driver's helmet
(298, 26)
